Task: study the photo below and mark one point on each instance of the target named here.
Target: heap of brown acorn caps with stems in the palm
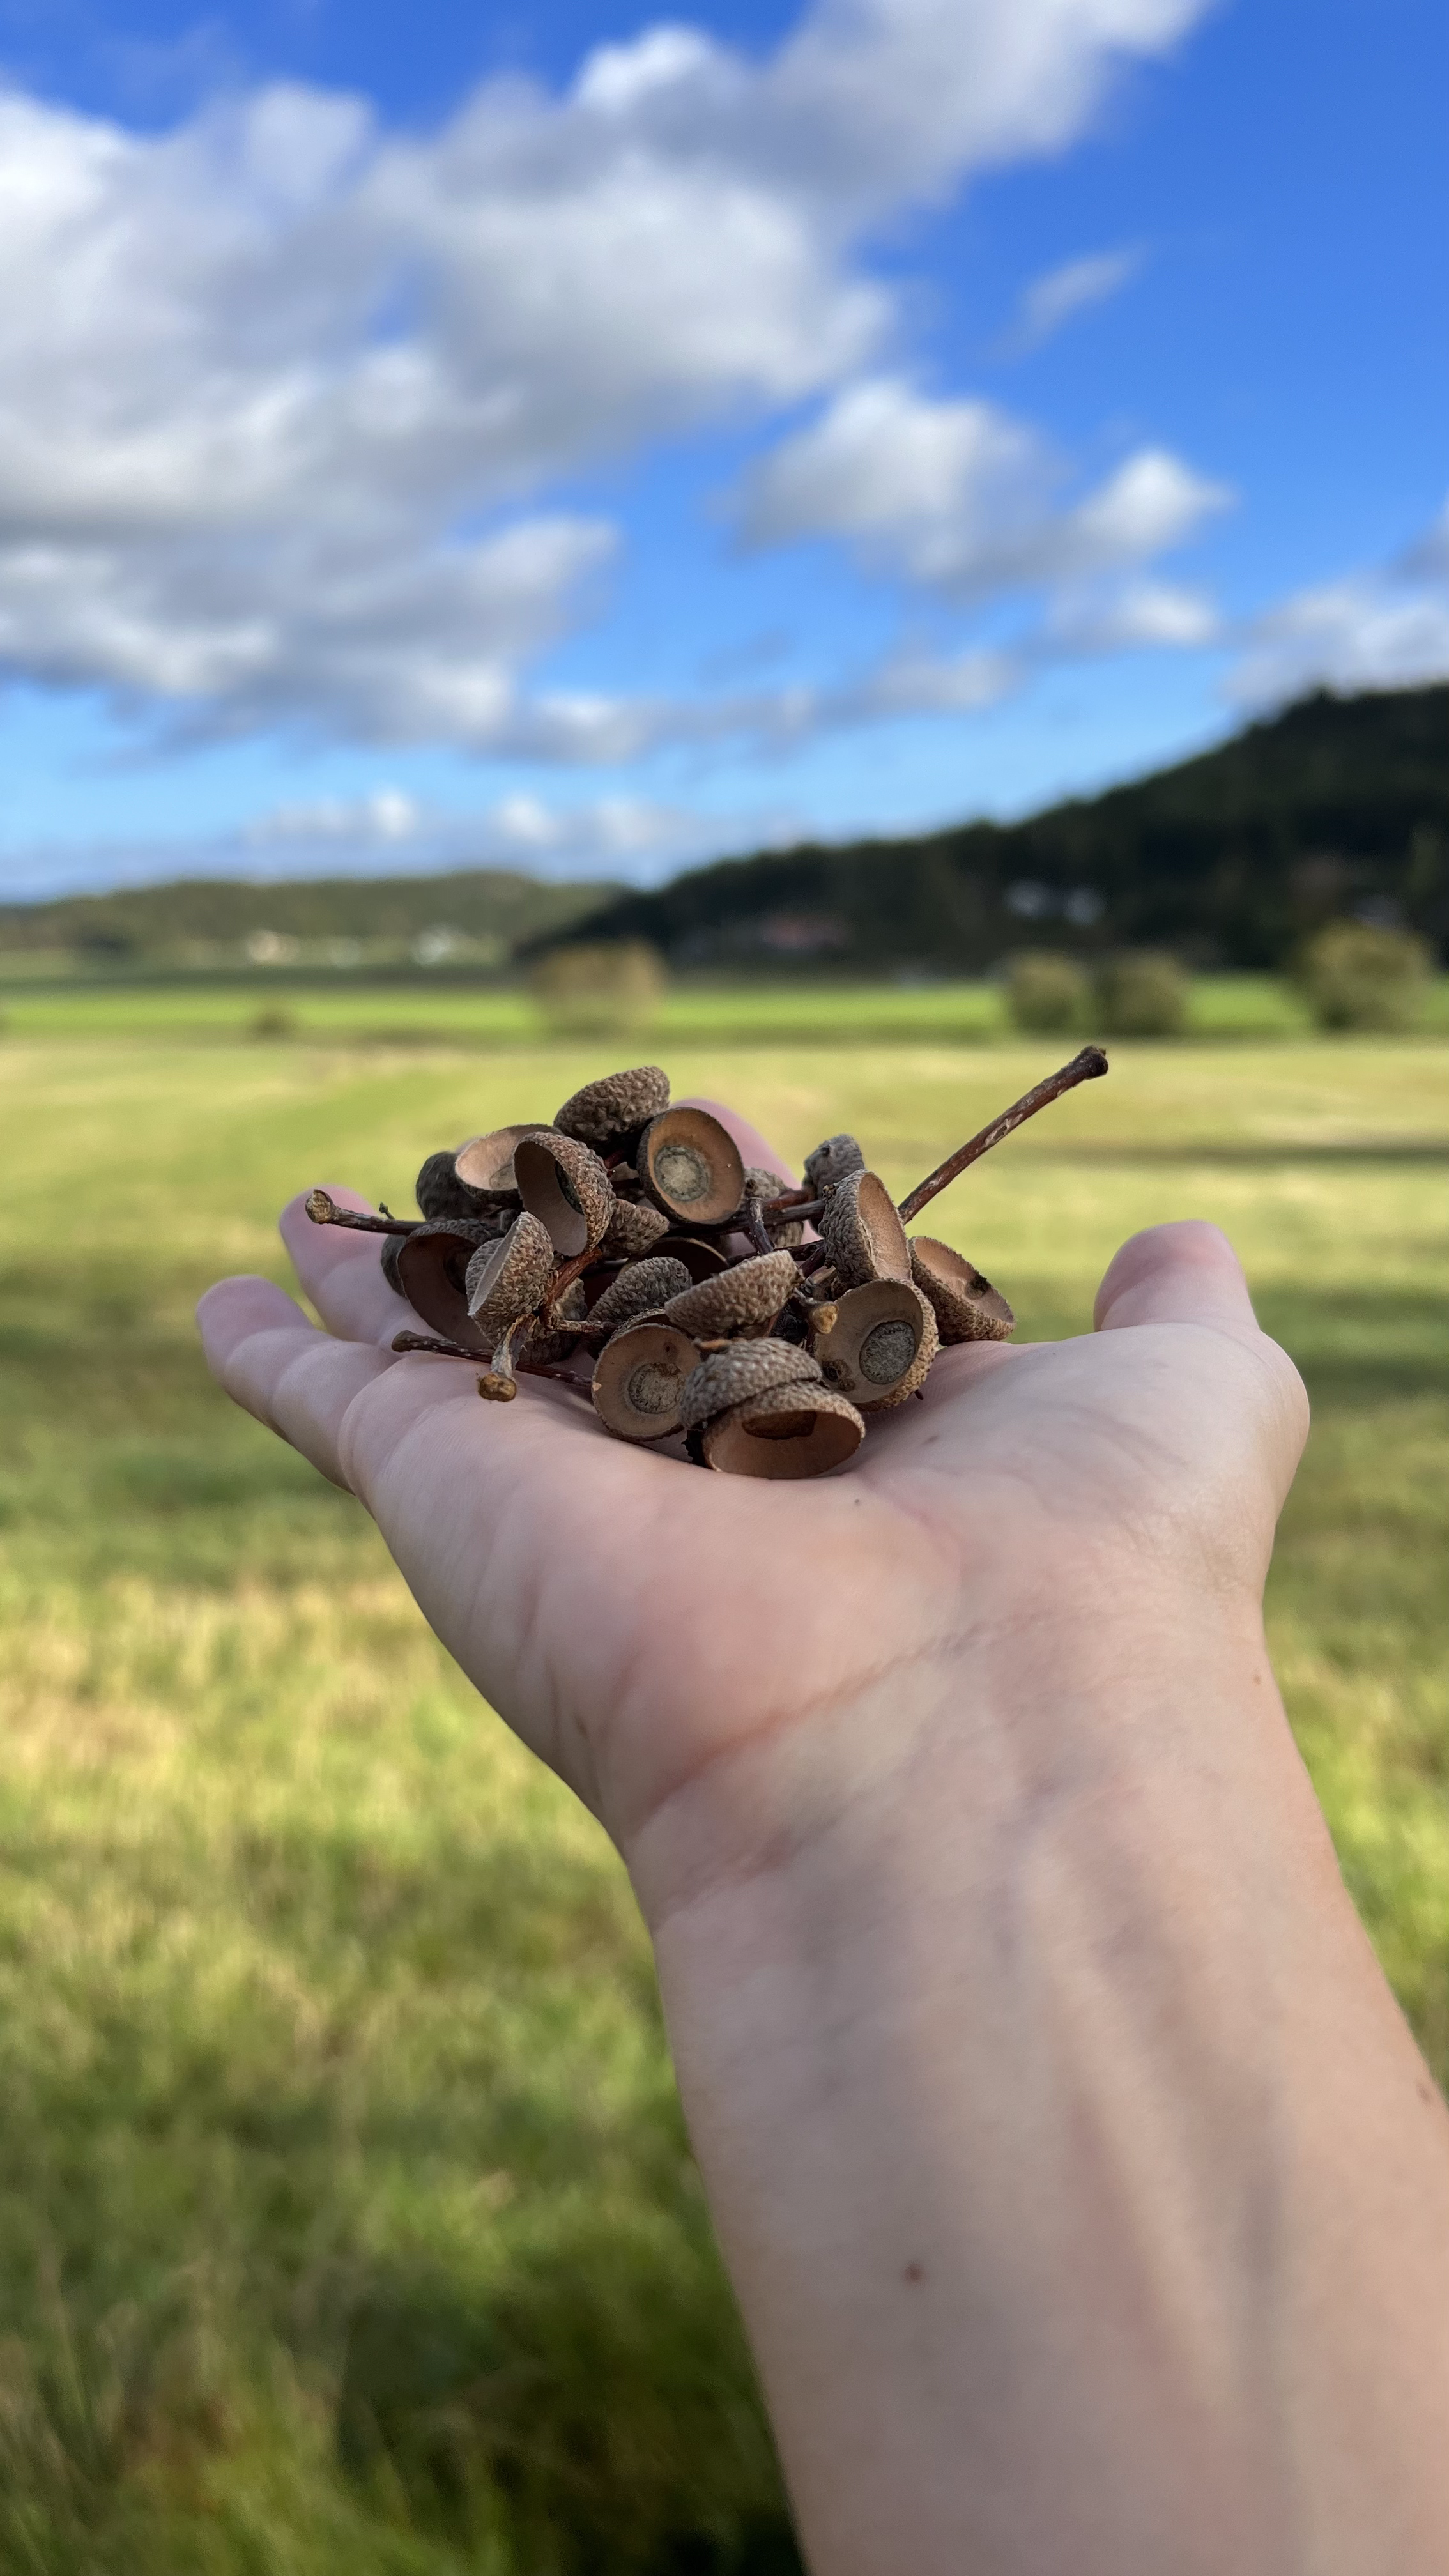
(703, 1297)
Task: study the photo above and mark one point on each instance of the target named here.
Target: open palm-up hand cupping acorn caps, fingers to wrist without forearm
(648, 1627)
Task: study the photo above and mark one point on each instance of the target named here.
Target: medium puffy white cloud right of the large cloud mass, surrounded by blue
(960, 496)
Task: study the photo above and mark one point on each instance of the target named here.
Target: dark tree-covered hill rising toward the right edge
(1339, 805)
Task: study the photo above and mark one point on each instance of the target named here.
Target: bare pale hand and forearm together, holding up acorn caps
(1082, 2186)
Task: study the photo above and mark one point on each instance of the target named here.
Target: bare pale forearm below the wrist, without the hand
(1084, 2193)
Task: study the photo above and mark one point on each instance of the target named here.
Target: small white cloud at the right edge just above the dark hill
(1373, 630)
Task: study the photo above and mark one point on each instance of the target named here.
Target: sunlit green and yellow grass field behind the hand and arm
(347, 2219)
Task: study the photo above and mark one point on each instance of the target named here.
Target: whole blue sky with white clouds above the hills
(587, 439)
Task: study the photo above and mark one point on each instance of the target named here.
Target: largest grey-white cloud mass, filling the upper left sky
(275, 377)
